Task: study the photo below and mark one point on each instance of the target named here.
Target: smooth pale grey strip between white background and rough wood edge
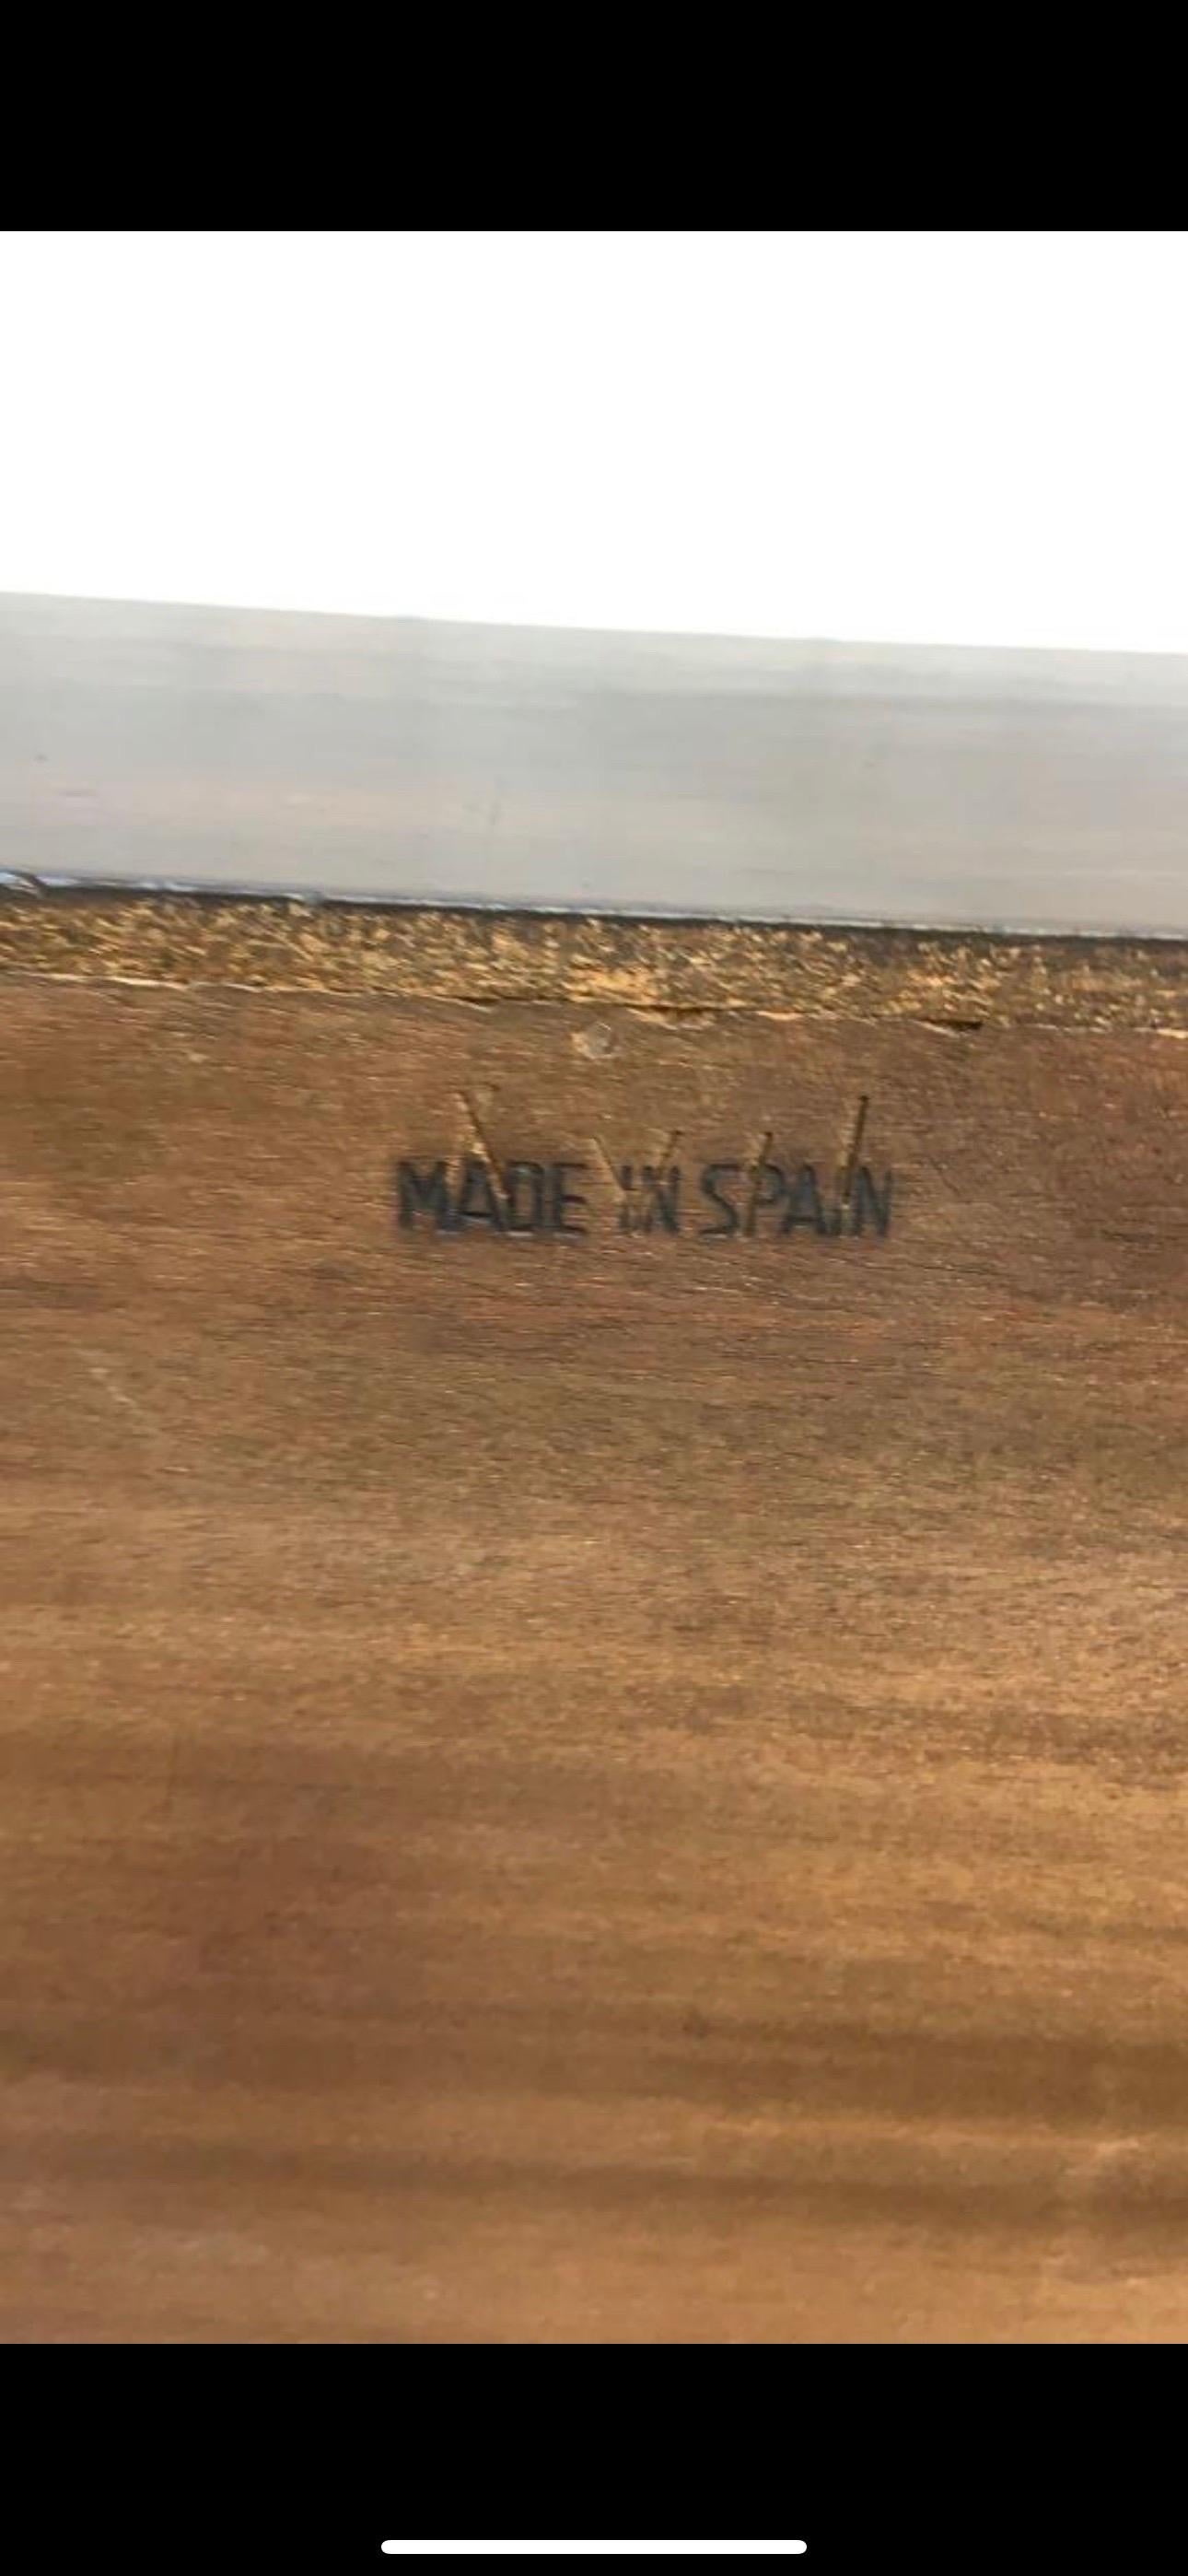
(646, 774)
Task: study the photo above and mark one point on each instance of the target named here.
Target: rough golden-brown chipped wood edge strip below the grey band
(277, 944)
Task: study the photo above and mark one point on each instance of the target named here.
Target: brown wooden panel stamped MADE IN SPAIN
(620, 1786)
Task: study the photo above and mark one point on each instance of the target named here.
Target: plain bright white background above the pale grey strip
(877, 437)
